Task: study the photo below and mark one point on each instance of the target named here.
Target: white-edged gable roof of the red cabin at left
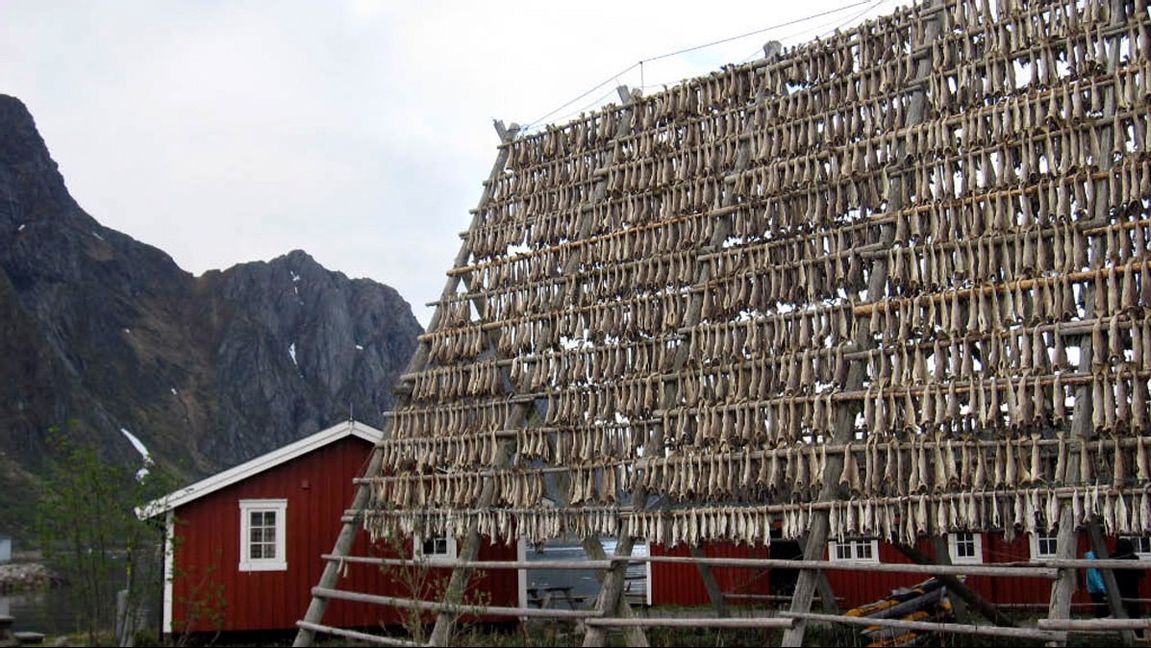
(249, 469)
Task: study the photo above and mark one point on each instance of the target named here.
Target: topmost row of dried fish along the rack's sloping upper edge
(835, 58)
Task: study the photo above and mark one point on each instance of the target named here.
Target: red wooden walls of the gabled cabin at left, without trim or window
(319, 489)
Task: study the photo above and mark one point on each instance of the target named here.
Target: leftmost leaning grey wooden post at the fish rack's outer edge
(352, 528)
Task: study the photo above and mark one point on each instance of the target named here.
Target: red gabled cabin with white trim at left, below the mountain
(246, 546)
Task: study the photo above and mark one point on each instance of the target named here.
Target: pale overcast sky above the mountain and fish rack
(359, 131)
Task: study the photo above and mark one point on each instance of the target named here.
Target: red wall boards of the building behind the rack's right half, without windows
(681, 585)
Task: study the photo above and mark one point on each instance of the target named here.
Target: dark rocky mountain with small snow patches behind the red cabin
(101, 334)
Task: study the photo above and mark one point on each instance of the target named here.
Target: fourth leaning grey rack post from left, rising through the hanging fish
(845, 417)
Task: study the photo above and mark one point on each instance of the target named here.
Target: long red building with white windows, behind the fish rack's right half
(681, 584)
